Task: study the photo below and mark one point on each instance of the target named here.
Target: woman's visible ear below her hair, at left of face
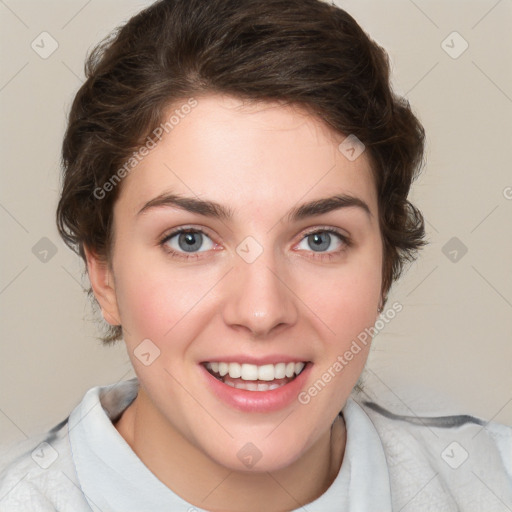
(102, 282)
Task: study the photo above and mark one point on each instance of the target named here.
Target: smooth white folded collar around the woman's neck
(113, 478)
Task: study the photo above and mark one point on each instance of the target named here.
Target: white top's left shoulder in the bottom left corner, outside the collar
(37, 475)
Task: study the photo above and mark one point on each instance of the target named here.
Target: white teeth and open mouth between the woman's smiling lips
(251, 377)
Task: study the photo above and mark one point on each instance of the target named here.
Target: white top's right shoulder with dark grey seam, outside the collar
(455, 462)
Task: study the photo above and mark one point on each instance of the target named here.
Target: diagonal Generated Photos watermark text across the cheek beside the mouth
(342, 360)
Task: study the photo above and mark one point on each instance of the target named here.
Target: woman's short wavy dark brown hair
(303, 52)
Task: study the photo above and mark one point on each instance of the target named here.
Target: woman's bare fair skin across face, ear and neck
(260, 160)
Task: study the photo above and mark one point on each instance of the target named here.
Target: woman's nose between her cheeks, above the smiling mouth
(260, 298)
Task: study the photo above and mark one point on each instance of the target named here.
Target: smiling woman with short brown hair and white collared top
(236, 178)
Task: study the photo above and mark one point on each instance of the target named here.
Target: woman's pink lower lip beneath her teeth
(257, 401)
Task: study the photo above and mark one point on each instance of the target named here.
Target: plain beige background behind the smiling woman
(449, 350)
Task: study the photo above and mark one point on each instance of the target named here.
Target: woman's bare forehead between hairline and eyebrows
(262, 155)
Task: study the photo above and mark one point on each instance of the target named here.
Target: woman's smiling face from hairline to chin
(257, 280)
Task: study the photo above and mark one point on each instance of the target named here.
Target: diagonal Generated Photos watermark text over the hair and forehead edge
(150, 144)
